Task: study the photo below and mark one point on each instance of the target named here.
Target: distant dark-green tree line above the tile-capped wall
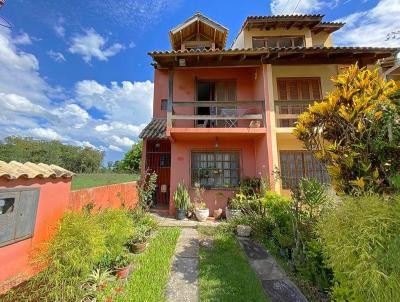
(73, 158)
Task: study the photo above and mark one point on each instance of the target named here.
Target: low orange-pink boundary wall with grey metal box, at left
(55, 198)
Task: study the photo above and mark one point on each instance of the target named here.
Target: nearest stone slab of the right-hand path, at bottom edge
(283, 291)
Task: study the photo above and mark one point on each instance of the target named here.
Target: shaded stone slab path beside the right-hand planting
(276, 284)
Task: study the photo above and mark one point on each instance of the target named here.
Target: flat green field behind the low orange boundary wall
(81, 181)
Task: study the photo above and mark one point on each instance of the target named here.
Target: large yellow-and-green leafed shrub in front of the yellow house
(355, 131)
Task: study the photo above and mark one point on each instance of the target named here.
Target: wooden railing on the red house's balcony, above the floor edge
(213, 114)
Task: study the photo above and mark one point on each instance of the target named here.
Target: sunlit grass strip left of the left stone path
(149, 280)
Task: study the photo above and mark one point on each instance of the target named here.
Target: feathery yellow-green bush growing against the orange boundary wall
(83, 243)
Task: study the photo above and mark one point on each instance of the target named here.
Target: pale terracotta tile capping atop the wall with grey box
(15, 170)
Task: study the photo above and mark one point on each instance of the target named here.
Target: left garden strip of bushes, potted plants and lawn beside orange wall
(89, 259)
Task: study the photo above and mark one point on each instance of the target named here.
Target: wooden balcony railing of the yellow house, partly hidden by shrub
(287, 112)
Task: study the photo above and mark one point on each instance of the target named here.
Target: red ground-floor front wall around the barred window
(181, 166)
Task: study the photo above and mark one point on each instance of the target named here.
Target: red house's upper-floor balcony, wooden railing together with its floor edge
(216, 117)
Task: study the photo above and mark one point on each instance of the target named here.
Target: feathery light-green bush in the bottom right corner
(361, 241)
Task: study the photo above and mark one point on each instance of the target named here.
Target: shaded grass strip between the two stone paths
(225, 274)
